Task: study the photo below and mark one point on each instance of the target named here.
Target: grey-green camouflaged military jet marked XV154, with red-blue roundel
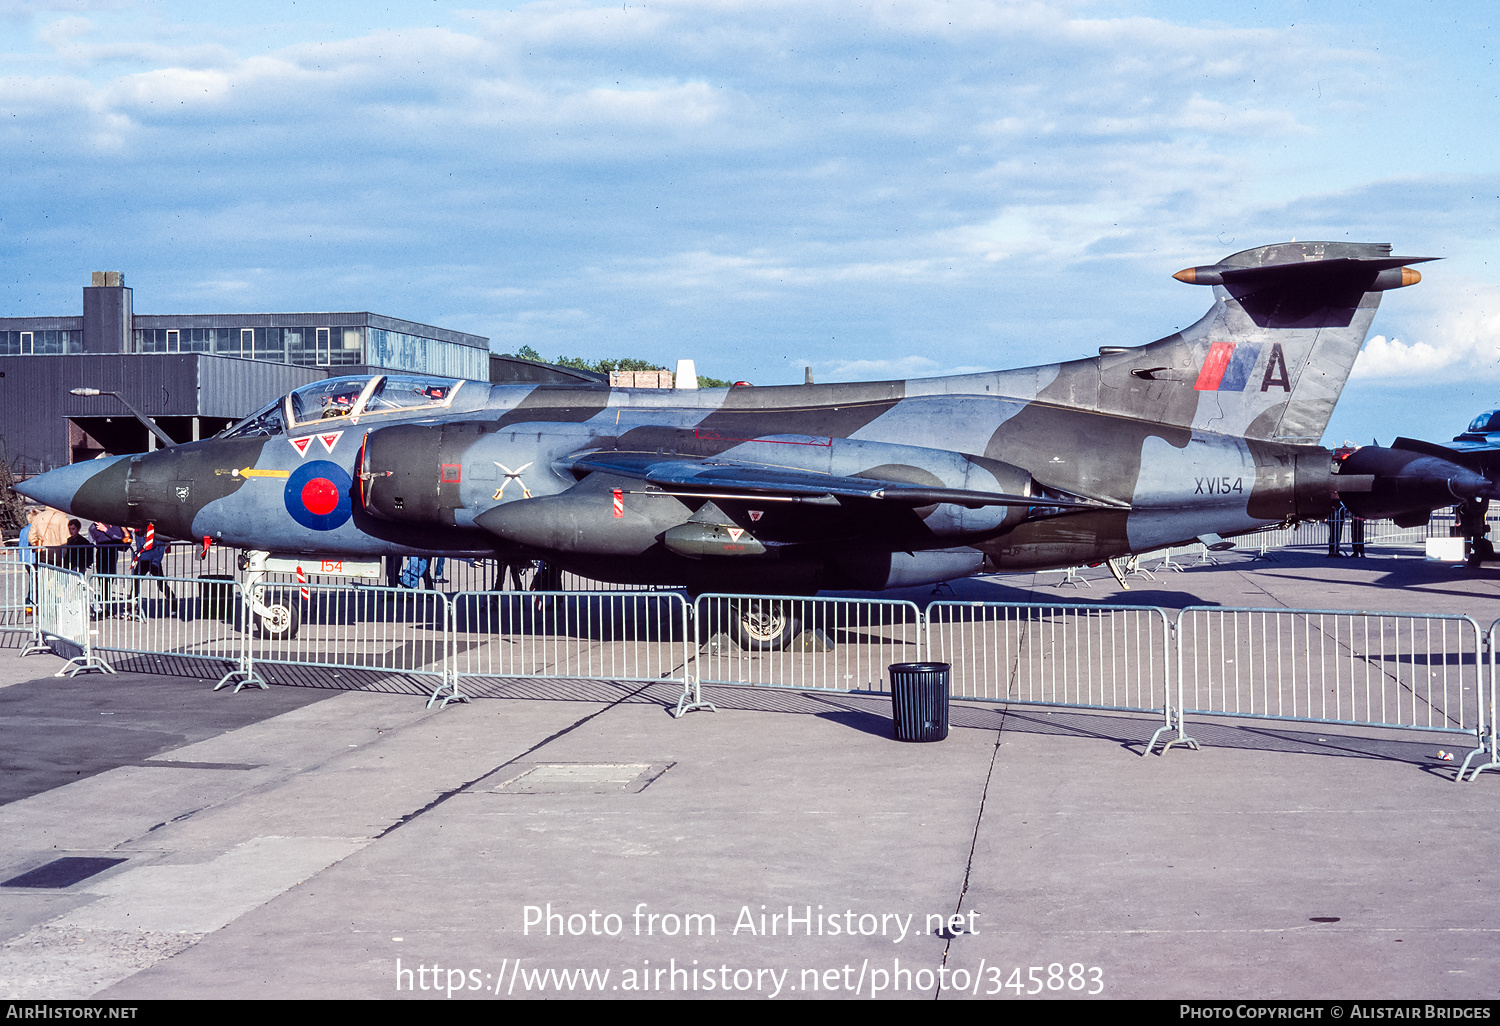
(1205, 434)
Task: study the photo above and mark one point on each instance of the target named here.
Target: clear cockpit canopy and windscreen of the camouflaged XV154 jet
(347, 398)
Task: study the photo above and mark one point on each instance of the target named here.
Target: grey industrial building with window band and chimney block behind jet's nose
(193, 374)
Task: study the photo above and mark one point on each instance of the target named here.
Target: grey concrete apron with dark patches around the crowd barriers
(326, 842)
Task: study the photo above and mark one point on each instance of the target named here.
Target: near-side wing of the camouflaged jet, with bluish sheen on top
(716, 478)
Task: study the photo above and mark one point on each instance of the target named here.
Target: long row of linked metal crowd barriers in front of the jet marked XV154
(1381, 670)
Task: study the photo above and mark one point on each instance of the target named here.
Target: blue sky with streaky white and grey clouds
(881, 190)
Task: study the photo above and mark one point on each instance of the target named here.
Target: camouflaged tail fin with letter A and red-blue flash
(1270, 361)
